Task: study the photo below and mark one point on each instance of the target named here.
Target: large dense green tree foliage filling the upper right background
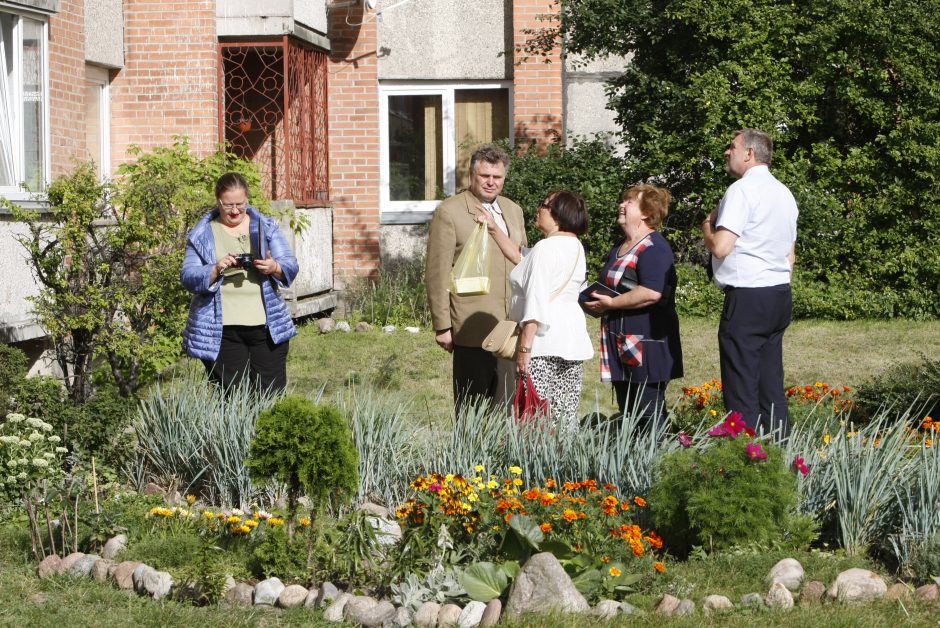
(846, 88)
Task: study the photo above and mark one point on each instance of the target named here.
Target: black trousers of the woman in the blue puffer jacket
(248, 351)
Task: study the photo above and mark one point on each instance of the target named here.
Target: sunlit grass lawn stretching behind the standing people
(412, 365)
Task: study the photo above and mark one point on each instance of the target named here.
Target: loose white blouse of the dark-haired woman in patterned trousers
(555, 265)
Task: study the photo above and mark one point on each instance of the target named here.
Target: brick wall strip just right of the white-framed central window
(538, 94)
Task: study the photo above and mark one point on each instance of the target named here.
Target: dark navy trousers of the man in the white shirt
(750, 342)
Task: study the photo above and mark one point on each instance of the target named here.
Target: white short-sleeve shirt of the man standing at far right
(762, 212)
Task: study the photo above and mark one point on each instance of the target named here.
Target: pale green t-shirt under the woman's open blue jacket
(242, 303)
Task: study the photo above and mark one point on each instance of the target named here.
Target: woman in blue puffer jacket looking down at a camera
(236, 261)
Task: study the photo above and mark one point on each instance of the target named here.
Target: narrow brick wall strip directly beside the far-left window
(66, 86)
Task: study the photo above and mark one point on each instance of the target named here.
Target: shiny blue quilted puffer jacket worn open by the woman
(203, 334)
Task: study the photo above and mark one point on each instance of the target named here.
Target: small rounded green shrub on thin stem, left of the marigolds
(309, 448)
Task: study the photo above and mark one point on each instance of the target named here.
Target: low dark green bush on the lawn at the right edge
(914, 385)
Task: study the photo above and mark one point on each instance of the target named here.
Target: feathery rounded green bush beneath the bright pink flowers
(718, 497)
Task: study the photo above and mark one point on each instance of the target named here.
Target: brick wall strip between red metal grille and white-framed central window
(354, 142)
